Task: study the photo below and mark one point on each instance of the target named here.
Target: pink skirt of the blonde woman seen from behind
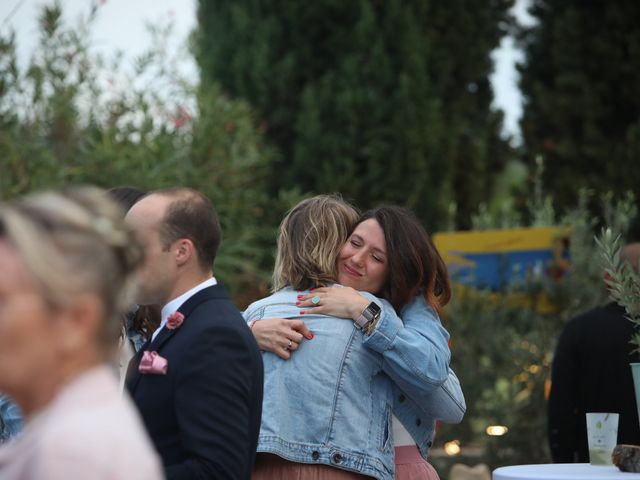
(273, 467)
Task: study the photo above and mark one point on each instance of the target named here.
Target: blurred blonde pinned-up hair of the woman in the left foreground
(76, 242)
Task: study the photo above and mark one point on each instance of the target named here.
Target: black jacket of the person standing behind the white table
(591, 373)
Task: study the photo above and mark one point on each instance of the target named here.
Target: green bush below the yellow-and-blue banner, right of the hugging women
(503, 346)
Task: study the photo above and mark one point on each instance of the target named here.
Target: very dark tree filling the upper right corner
(581, 83)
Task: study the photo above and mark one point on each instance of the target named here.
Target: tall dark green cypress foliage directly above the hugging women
(384, 101)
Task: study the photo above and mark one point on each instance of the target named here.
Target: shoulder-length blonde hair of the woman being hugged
(311, 236)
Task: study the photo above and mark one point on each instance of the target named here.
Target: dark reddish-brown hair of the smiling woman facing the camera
(415, 265)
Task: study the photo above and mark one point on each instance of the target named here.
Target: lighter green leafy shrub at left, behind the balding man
(69, 117)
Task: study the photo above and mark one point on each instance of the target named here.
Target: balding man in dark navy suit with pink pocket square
(203, 411)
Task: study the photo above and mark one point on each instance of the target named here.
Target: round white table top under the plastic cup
(562, 471)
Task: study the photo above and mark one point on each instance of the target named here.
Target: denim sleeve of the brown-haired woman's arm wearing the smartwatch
(415, 349)
